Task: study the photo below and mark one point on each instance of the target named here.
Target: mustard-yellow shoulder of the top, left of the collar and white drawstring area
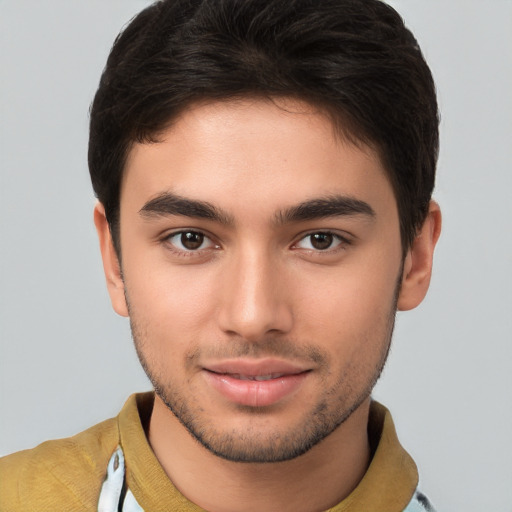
(65, 474)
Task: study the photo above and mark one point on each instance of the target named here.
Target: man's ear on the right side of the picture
(418, 261)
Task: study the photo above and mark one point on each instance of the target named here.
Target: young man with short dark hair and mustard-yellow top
(264, 171)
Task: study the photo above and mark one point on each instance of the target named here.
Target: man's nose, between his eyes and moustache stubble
(254, 302)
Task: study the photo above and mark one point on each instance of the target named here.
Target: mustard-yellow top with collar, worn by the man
(67, 474)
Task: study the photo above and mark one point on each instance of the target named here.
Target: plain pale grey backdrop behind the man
(67, 361)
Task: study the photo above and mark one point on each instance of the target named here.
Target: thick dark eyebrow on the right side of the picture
(320, 208)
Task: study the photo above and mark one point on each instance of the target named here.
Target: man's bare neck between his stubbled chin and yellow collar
(317, 480)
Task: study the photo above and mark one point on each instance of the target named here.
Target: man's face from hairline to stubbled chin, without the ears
(261, 263)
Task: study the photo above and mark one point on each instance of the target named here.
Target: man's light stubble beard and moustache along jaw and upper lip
(252, 446)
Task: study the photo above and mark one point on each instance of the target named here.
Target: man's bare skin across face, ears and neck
(264, 284)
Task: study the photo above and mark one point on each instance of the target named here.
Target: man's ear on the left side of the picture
(111, 266)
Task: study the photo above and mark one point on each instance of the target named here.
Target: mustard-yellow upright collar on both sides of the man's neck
(388, 484)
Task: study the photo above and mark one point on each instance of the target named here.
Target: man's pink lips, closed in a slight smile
(240, 381)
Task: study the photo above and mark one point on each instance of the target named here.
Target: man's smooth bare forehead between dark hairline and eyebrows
(272, 153)
